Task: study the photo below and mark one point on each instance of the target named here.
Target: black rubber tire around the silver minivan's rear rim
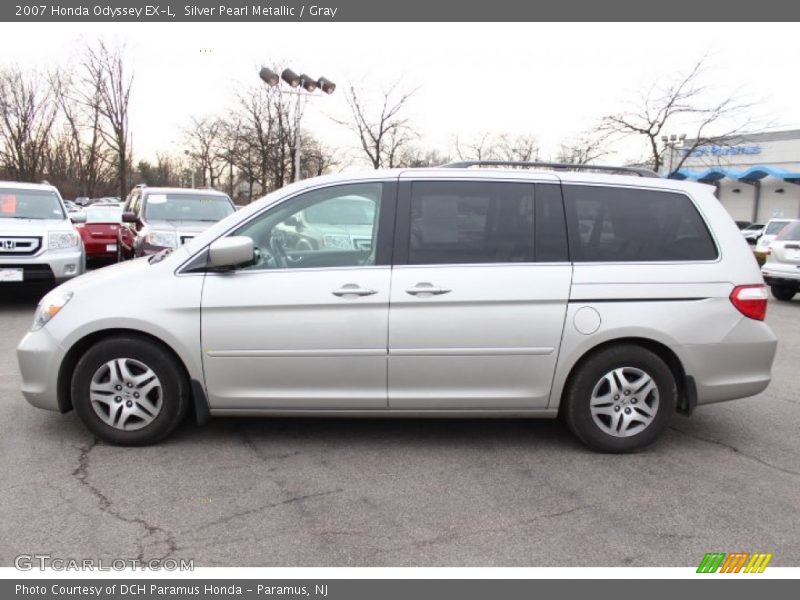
(588, 374)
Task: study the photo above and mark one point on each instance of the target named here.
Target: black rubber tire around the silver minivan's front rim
(174, 397)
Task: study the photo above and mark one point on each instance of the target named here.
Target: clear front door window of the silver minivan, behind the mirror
(331, 227)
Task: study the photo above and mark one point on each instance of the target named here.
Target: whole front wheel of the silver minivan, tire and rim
(129, 391)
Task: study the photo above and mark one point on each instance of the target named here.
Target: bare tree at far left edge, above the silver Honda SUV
(27, 116)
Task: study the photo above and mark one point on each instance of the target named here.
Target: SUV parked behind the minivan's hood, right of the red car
(158, 218)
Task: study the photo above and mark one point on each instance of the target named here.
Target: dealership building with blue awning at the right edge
(757, 176)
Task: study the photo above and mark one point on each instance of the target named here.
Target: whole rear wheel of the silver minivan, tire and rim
(620, 399)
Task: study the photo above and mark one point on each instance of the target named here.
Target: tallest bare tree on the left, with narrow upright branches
(105, 70)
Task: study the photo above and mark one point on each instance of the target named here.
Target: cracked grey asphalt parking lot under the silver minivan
(313, 492)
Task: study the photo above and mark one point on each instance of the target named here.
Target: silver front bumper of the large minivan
(39, 357)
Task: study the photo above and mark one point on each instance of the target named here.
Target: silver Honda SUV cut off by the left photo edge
(38, 243)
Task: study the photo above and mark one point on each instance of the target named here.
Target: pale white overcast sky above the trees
(551, 80)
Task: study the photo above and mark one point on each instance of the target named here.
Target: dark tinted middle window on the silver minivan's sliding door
(466, 222)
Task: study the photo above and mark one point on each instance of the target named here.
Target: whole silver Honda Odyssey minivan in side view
(611, 299)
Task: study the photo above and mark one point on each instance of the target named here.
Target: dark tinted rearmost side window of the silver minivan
(608, 224)
